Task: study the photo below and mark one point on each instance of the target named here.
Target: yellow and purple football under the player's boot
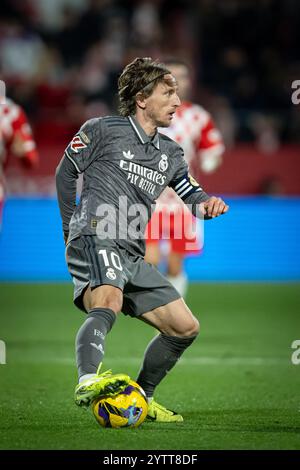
(127, 409)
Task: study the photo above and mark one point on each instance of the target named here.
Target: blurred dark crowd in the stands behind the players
(60, 60)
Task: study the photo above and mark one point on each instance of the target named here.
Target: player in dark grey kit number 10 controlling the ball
(126, 164)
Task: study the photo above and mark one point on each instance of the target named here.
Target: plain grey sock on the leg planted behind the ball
(160, 356)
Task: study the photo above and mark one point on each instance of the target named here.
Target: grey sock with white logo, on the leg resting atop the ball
(90, 339)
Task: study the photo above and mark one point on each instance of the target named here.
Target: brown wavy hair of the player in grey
(141, 75)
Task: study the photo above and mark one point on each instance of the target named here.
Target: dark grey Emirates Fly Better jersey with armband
(124, 172)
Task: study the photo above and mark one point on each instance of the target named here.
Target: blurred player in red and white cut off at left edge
(15, 138)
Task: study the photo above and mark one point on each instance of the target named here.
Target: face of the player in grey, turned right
(163, 102)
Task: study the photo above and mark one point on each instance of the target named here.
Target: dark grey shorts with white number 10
(94, 262)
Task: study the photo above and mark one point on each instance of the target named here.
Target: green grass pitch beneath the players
(236, 386)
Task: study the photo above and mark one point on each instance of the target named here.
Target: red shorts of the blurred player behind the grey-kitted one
(179, 228)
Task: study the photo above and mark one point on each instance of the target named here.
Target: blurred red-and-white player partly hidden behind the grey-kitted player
(193, 129)
